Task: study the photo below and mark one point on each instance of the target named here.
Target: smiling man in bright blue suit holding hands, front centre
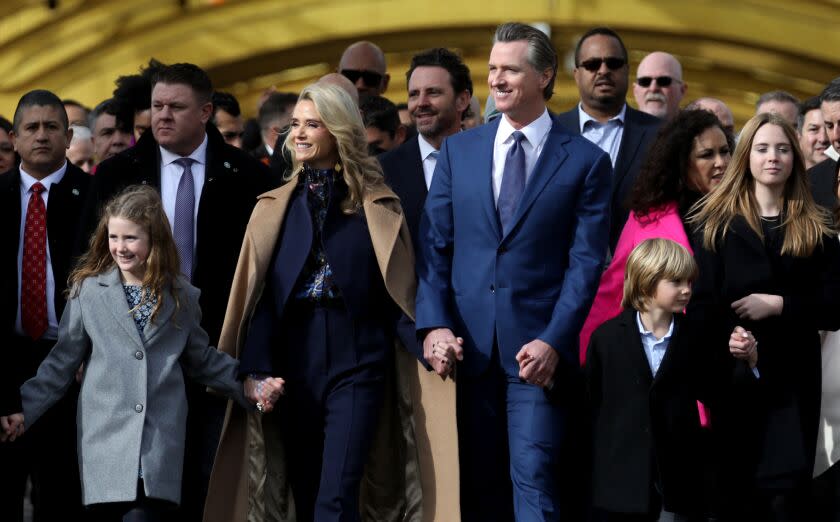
(512, 242)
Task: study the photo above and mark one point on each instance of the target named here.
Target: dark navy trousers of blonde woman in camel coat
(328, 416)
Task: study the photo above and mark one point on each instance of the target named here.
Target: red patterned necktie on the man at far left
(33, 294)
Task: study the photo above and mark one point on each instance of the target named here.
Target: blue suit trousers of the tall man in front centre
(512, 443)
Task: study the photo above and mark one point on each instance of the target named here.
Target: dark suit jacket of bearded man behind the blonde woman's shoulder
(403, 171)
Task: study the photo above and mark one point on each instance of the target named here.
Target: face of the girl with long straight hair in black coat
(771, 157)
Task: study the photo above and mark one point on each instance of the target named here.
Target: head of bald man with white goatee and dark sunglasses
(659, 87)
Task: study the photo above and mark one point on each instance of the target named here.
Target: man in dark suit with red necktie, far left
(41, 204)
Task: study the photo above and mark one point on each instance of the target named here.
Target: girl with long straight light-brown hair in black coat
(770, 263)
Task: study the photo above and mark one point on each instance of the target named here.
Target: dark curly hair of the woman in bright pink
(664, 174)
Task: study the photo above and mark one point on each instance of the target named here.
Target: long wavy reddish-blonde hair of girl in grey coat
(141, 205)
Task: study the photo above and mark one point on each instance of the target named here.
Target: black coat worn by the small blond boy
(646, 429)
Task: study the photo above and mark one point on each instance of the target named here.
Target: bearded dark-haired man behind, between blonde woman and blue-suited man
(439, 91)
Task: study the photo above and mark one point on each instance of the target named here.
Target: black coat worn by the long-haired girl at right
(778, 414)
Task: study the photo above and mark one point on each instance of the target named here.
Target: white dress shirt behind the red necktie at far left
(26, 182)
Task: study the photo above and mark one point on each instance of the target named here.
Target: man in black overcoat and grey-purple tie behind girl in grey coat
(209, 189)
